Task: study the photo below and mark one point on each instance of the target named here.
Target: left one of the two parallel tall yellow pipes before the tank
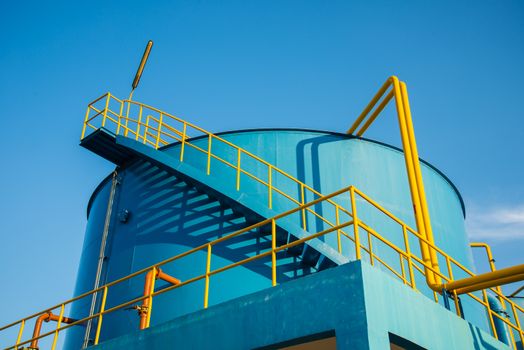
(412, 180)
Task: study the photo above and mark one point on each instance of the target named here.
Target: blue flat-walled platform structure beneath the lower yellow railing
(348, 301)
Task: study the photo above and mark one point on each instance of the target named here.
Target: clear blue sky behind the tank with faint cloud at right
(246, 64)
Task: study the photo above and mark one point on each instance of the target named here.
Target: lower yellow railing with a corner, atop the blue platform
(415, 264)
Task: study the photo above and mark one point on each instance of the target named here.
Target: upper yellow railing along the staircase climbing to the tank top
(157, 129)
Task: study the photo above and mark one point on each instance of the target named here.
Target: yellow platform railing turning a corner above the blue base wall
(400, 260)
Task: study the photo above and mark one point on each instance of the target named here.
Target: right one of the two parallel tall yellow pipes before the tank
(420, 183)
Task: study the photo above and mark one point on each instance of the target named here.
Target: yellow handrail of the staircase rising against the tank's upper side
(162, 131)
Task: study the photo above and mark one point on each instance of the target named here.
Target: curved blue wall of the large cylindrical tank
(167, 216)
